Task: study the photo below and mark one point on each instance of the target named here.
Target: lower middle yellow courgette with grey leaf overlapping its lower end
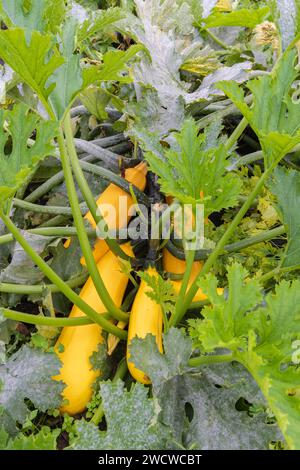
(145, 318)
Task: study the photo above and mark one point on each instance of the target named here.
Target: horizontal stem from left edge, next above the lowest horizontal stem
(22, 289)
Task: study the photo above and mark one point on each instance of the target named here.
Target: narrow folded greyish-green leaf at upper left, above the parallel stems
(68, 77)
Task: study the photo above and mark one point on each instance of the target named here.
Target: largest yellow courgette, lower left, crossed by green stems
(80, 342)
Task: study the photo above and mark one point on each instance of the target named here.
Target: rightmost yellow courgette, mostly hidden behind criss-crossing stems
(174, 265)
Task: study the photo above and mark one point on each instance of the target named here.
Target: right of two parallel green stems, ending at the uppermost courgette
(85, 190)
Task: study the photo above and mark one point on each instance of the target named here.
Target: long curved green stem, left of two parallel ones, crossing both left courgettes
(83, 238)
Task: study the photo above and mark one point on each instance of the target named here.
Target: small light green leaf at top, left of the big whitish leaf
(99, 21)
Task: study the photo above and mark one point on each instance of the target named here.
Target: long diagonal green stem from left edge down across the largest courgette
(62, 286)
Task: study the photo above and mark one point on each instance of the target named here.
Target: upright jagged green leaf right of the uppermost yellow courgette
(194, 174)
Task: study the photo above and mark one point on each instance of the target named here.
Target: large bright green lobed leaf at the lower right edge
(265, 339)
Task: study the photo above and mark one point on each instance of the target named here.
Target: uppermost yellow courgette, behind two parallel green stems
(111, 196)
